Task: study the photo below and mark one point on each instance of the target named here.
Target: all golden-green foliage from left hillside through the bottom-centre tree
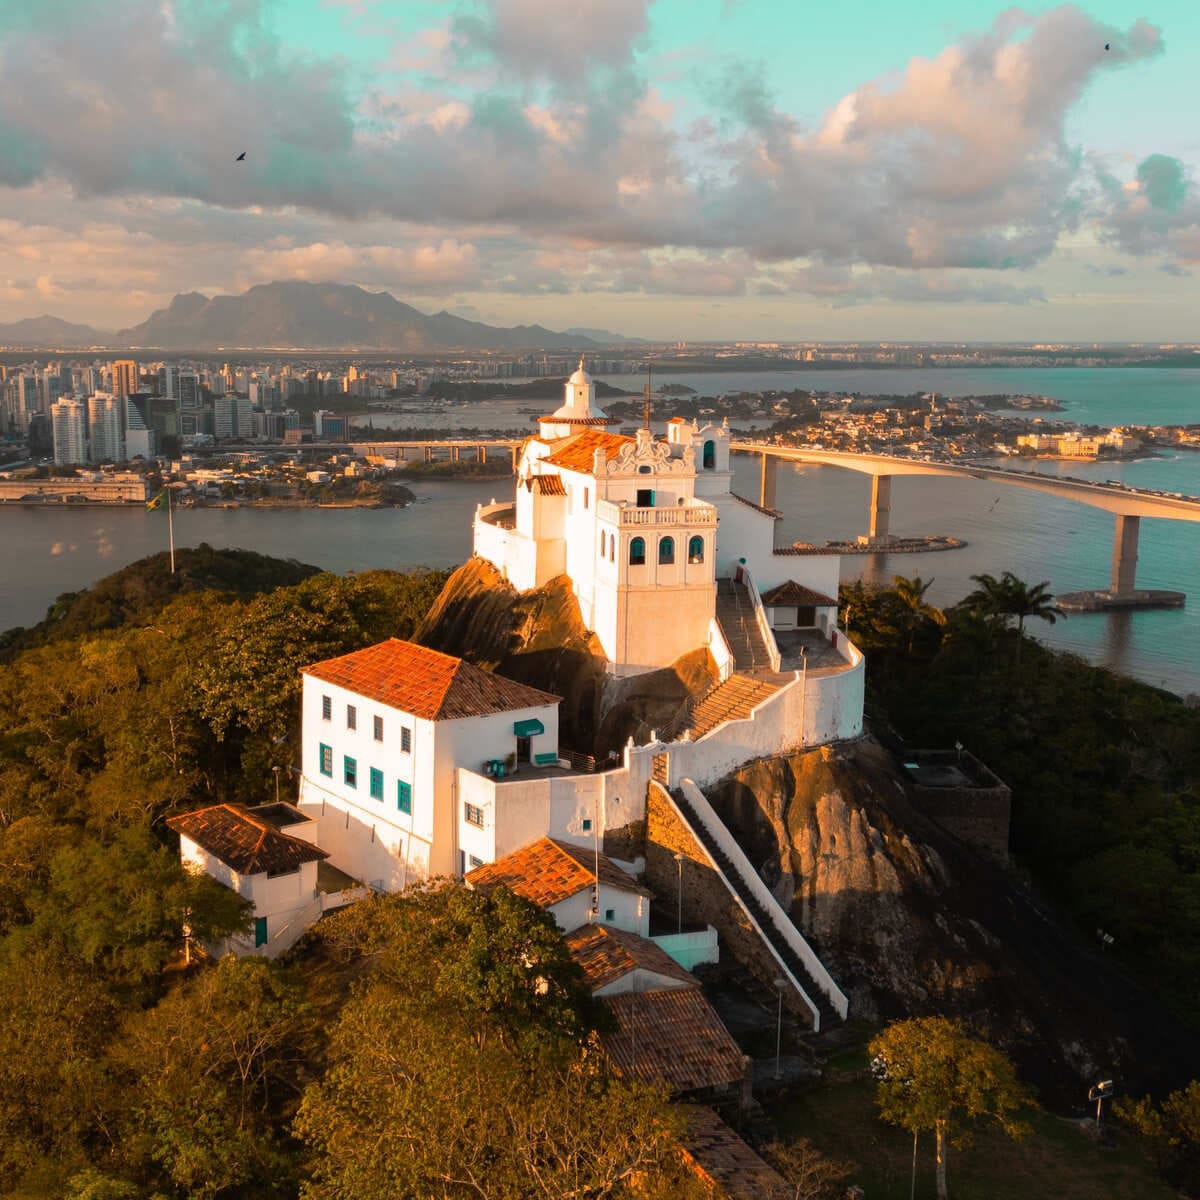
(436, 1045)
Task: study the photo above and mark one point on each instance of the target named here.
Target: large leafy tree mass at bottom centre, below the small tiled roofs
(464, 1065)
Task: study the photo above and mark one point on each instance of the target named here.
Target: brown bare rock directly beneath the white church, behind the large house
(539, 639)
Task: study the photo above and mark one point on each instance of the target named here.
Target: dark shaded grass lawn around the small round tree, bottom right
(1055, 1161)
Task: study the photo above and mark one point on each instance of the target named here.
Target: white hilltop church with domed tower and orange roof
(643, 526)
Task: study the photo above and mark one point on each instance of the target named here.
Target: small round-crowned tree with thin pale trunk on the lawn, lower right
(933, 1075)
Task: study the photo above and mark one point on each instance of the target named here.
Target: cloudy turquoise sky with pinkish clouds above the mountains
(669, 169)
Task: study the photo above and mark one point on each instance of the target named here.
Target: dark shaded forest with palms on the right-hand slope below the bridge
(1105, 771)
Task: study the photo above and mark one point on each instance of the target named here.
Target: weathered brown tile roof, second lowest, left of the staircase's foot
(674, 1039)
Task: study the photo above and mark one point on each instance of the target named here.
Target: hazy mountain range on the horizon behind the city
(301, 317)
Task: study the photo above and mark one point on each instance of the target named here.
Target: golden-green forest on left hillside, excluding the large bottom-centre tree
(149, 694)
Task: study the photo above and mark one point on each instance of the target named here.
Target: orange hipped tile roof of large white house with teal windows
(428, 685)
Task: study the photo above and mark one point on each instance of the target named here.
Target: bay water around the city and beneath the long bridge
(45, 553)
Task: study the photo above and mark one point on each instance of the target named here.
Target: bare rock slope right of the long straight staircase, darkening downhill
(911, 922)
